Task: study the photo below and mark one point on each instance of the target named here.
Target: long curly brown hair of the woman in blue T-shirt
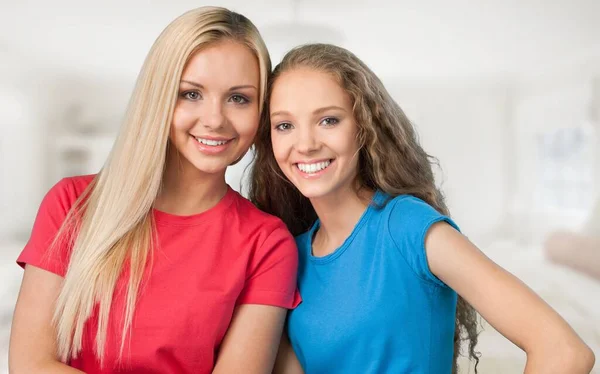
(390, 158)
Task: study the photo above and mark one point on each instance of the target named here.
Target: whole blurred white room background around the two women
(505, 93)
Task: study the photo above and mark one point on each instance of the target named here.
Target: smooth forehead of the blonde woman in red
(224, 63)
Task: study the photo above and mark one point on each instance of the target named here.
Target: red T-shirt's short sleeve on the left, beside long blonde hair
(53, 210)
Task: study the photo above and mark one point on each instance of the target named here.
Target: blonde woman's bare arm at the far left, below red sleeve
(32, 340)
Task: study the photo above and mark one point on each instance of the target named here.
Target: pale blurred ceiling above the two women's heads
(405, 39)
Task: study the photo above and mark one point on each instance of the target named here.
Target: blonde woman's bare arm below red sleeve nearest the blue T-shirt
(251, 342)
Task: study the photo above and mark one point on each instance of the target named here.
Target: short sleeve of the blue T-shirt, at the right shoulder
(410, 220)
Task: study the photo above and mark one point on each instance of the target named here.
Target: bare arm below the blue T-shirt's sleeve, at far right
(507, 304)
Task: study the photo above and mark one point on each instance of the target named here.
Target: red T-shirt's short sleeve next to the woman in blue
(271, 275)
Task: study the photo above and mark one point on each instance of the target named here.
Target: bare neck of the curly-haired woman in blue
(339, 213)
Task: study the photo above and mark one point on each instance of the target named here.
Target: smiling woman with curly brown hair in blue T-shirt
(389, 284)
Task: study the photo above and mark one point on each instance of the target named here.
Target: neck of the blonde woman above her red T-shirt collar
(187, 190)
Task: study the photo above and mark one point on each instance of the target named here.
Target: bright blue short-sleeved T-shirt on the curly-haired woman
(373, 305)
